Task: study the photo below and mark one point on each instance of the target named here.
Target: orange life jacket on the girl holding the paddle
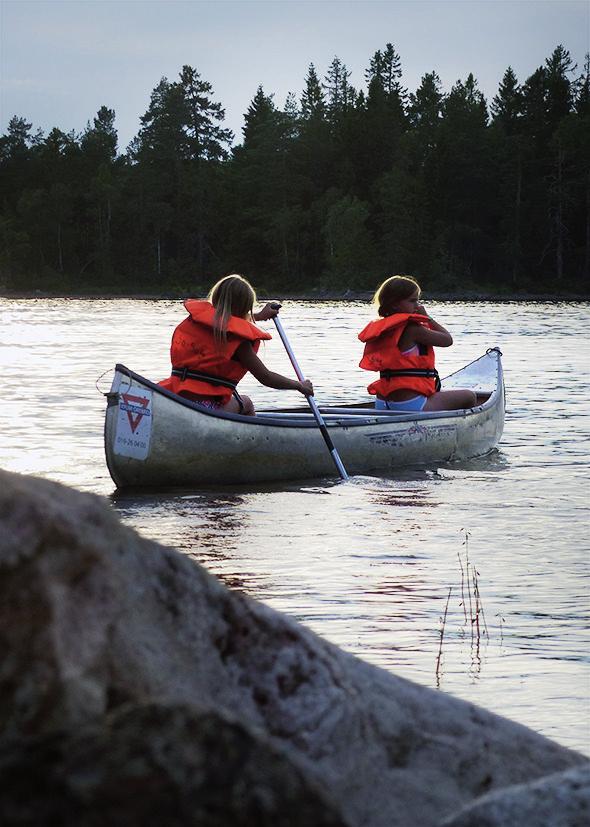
(203, 363)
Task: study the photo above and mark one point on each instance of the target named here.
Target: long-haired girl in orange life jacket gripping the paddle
(217, 345)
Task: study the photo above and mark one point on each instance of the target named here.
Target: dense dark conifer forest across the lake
(333, 192)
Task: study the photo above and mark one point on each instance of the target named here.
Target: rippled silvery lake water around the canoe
(366, 564)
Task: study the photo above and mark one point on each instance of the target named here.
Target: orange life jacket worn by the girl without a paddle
(414, 371)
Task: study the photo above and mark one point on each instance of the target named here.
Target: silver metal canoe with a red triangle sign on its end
(154, 438)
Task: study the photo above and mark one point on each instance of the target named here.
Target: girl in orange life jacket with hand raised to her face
(400, 346)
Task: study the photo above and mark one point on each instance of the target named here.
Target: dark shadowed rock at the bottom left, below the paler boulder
(158, 765)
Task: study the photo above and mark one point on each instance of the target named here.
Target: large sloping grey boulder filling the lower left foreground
(110, 642)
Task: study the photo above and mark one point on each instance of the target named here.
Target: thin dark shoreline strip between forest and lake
(328, 296)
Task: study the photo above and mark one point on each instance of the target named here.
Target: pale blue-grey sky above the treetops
(61, 60)
